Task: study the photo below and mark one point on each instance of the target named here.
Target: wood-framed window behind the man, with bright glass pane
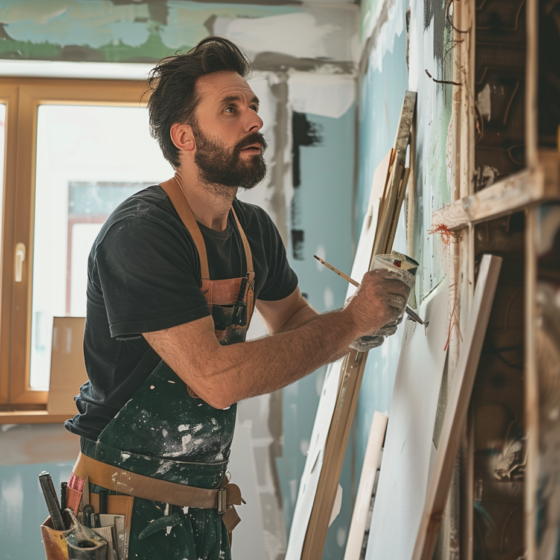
(78, 149)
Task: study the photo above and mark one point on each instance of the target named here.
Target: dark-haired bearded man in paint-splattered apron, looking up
(173, 279)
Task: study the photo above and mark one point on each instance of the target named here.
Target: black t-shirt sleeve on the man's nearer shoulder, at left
(148, 277)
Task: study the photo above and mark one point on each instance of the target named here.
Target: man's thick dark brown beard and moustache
(220, 165)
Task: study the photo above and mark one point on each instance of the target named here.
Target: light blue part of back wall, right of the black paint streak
(325, 209)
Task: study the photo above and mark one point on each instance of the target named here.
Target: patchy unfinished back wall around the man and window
(305, 56)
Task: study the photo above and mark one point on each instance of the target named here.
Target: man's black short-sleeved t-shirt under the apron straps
(143, 276)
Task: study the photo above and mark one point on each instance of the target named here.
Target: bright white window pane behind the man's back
(89, 159)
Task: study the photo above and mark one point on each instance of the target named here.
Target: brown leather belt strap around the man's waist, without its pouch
(222, 499)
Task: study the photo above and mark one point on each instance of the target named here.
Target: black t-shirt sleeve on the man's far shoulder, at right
(281, 280)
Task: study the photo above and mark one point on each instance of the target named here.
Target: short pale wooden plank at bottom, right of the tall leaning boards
(365, 488)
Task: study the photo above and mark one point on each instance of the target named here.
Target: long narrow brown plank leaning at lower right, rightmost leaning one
(457, 407)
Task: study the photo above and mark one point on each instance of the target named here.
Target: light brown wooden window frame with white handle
(22, 97)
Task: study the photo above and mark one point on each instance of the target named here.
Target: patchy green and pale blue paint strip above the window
(101, 31)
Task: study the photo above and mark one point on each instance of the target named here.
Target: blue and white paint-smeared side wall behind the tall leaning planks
(386, 72)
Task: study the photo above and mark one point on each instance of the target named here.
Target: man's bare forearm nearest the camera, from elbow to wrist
(270, 363)
